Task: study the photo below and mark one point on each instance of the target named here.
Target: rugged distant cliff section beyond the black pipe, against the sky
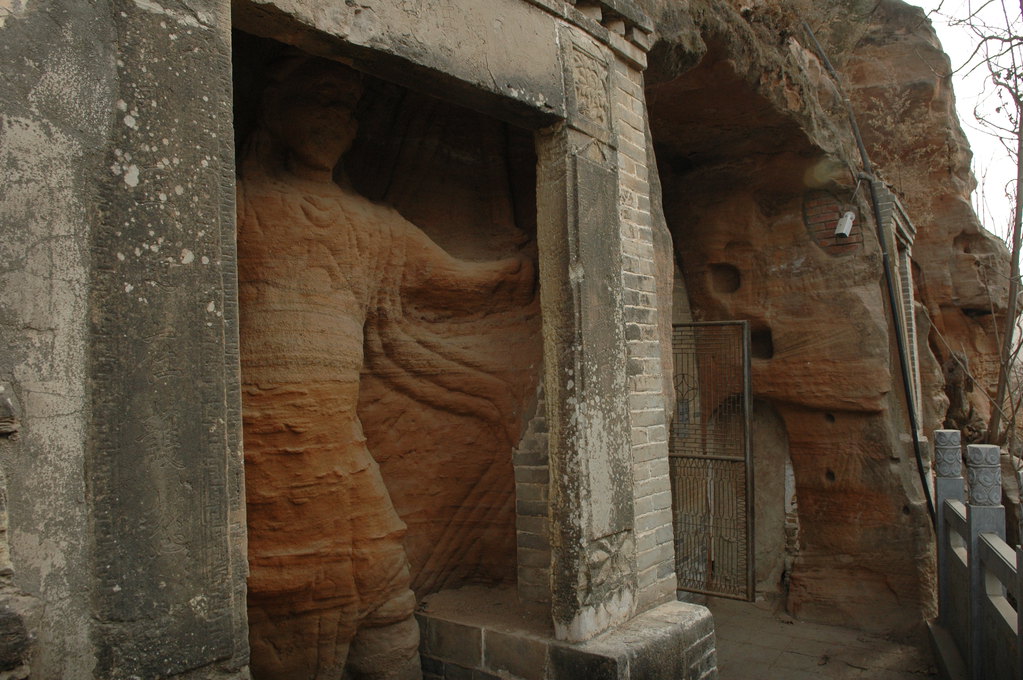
(899, 85)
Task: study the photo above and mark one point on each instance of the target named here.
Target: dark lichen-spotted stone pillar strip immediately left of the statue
(165, 464)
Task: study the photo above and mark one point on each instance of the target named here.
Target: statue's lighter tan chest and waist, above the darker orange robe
(308, 261)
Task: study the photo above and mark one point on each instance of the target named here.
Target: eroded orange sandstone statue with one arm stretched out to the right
(322, 273)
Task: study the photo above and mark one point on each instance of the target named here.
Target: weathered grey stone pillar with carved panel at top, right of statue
(592, 509)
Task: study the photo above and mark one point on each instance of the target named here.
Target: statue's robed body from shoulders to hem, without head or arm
(312, 262)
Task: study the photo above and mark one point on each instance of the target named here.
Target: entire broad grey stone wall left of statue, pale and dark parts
(123, 473)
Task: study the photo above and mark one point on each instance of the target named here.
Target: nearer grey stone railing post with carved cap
(985, 516)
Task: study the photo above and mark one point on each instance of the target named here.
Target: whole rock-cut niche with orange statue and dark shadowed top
(390, 349)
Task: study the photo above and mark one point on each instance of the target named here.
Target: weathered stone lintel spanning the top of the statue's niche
(506, 65)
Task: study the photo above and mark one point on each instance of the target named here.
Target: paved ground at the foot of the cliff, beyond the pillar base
(755, 645)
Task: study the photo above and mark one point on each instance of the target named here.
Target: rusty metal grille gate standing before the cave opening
(711, 460)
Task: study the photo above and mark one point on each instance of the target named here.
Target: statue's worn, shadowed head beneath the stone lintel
(308, 108)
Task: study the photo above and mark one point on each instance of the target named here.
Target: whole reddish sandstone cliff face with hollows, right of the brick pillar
(758, 160)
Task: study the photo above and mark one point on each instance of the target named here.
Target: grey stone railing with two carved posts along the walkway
(980, 625)
